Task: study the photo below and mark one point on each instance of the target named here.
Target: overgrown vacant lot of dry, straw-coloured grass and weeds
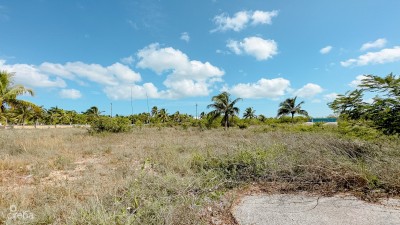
(176, 175)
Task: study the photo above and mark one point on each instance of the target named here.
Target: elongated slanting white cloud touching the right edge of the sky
(386, 55)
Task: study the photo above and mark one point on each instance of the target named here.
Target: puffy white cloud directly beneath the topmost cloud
(257, 47)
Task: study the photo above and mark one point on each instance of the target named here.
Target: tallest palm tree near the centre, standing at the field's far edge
(223, 105)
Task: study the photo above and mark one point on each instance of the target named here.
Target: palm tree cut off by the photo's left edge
(9, 93)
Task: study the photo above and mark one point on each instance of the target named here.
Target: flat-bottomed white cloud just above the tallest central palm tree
(264, 88)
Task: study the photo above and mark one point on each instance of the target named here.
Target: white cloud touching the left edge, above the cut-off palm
(32, 76)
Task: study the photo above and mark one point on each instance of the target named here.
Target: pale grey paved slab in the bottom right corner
(310, 210)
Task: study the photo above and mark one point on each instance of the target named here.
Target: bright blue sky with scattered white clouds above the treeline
(80, 53)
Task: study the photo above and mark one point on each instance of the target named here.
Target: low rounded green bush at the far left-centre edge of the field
(113, 125)
